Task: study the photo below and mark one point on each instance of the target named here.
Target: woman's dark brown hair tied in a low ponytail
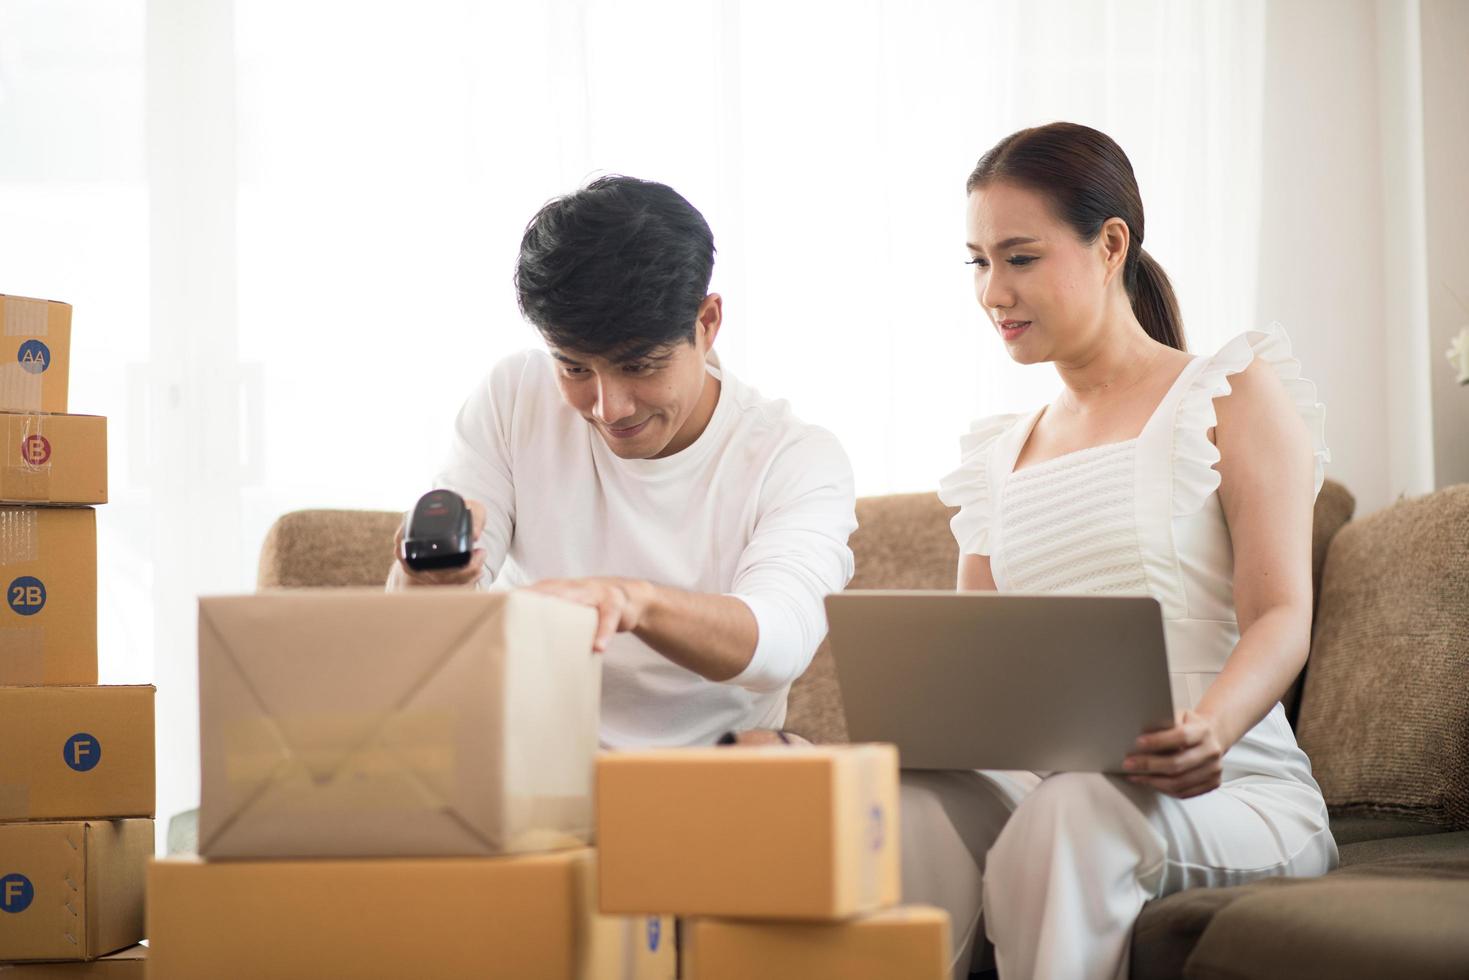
(1089, 180)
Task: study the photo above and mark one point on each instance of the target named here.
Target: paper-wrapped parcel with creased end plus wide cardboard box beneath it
(396, 785)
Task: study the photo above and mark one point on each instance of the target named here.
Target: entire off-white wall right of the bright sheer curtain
(1365, 228)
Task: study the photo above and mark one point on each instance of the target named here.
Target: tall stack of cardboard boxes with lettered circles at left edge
(77, 771)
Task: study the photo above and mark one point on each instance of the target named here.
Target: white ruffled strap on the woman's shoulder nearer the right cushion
(1195, 456)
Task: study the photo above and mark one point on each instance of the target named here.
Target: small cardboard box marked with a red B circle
(54, 459)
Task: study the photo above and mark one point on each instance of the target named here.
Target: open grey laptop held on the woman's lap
(1001, 681)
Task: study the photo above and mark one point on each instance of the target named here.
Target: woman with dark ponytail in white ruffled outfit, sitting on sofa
(1154, 472)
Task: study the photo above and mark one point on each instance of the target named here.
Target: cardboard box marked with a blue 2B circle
(49, 574)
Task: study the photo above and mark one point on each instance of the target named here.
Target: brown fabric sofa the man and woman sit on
(1382, 709)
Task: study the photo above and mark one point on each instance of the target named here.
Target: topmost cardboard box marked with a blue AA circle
(36, 352)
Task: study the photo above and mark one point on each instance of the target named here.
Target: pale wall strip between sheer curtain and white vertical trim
(1321, 224)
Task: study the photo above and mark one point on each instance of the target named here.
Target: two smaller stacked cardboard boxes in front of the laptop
(785, 863)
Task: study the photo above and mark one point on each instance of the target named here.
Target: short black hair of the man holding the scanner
(616, 270)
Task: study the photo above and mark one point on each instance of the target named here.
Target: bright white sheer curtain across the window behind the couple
(289, 228)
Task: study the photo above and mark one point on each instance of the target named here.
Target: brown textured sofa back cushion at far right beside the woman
(1386, 707)
